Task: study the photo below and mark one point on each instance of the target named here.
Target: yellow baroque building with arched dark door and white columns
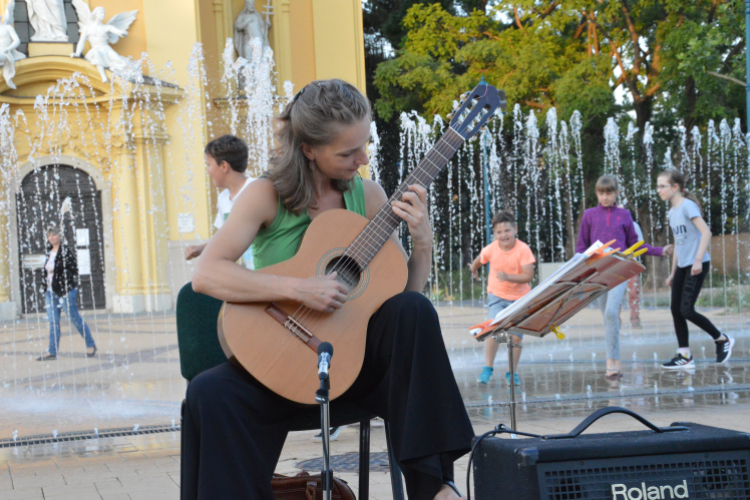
(130, 155)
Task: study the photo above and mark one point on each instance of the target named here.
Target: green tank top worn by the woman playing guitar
(281, 240)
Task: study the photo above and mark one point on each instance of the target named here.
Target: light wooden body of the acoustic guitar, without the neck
(280, 359)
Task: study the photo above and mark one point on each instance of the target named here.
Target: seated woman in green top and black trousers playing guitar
(234, 427)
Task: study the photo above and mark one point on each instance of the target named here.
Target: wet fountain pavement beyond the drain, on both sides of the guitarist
(135, 377)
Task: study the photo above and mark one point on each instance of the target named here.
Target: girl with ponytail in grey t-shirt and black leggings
(689, 268)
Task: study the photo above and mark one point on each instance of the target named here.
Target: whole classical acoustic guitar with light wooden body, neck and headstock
(276, 342)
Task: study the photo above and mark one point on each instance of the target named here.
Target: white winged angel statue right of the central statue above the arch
(101, 35)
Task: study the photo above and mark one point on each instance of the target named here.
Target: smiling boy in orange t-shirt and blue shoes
(511, 271)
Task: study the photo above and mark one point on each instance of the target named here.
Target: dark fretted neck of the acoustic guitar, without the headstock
(379, 229)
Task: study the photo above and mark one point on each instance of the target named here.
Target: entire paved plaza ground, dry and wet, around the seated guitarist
(135, 379)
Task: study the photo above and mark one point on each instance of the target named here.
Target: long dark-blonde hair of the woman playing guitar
(314, 117)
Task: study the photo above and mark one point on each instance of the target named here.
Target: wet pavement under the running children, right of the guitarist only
(567, 376)
